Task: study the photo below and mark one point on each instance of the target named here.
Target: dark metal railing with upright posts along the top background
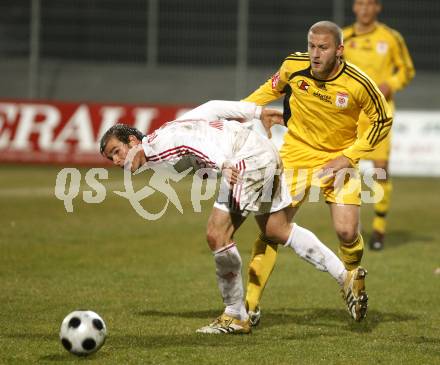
(238, 34)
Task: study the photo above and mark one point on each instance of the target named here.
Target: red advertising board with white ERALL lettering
(69, 133)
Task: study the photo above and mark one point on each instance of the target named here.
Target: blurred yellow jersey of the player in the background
(382, 54)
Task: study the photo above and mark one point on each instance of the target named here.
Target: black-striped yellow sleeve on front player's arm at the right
(373, 103)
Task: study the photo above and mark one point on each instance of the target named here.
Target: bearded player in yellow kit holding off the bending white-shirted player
(323, 97)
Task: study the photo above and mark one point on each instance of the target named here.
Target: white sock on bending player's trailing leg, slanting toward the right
(311, 249)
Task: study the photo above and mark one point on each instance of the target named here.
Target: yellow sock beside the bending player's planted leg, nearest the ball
(264, 255)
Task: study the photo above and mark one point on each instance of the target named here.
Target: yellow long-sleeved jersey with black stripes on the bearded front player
(322, 115)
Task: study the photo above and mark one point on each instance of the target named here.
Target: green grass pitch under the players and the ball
(154, 282)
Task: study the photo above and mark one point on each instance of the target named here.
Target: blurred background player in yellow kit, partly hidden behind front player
(381, 53)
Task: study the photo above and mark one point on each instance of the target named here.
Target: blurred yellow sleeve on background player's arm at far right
(403, 64)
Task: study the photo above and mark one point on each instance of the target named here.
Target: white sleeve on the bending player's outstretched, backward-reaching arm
(221, 109)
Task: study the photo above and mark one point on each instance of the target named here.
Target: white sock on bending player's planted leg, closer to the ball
(228, 270)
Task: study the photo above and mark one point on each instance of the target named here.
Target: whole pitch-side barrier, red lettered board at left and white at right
(68, 133)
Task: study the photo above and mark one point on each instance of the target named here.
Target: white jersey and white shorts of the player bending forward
(206, 138)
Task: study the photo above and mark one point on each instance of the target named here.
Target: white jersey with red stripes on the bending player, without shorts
(202, 137)
